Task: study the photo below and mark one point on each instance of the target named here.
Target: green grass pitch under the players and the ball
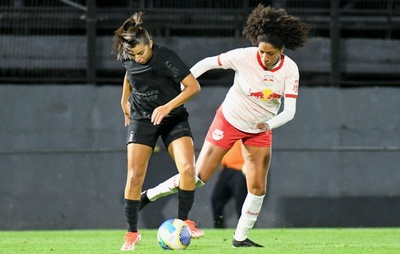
(296, 241)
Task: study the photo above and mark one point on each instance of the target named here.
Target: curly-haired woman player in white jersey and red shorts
(263, 76)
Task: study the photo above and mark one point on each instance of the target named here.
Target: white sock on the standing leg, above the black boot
(250, 210)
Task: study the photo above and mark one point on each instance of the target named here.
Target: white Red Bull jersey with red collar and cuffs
(256, 92)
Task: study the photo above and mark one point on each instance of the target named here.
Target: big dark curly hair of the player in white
(275, 26)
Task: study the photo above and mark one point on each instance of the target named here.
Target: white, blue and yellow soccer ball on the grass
(174, 234)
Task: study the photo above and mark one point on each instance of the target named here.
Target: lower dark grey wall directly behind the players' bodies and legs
(63, 161)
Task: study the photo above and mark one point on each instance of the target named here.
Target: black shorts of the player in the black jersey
(146, 133)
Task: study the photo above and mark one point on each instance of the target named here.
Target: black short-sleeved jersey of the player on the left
(156, 83)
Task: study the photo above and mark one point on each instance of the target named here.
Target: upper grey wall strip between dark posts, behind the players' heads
(69, 52)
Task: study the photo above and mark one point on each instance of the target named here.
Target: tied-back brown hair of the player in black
(129, 35)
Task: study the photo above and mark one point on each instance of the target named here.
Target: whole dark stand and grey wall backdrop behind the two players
(62, 140)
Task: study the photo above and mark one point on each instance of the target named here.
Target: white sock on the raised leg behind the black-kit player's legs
(168, 187)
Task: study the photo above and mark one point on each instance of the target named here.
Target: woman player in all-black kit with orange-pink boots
(156, 85)
